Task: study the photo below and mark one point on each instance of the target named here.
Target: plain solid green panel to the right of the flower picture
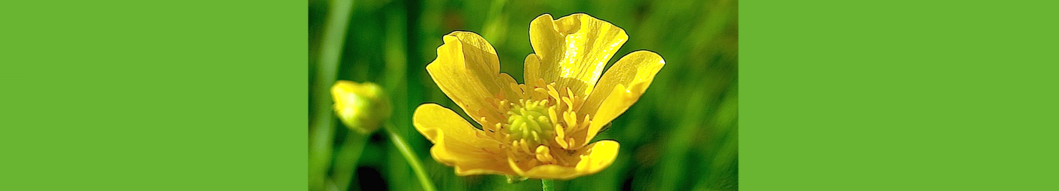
(899, 96)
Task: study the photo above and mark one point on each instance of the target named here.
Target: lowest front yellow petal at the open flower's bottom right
(594, 160)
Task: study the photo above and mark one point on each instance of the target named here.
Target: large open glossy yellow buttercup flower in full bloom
(541, 129)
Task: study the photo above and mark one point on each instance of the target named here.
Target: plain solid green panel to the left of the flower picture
(158, 96)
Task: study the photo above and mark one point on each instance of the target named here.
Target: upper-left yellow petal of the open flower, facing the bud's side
(469, 72)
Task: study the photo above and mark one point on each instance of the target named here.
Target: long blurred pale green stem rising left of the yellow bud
(322, 132)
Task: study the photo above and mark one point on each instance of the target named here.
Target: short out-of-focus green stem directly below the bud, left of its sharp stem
(346, 160)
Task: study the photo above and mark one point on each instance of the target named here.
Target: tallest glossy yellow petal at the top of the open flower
(575, 49)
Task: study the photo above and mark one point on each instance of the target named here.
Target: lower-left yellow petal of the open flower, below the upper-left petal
(458, 144)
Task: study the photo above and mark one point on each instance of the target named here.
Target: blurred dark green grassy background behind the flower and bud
(681, 135)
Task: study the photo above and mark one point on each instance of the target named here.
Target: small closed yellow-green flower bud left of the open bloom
(363, 108)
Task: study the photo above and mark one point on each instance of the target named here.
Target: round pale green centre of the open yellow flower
(530, 121)
